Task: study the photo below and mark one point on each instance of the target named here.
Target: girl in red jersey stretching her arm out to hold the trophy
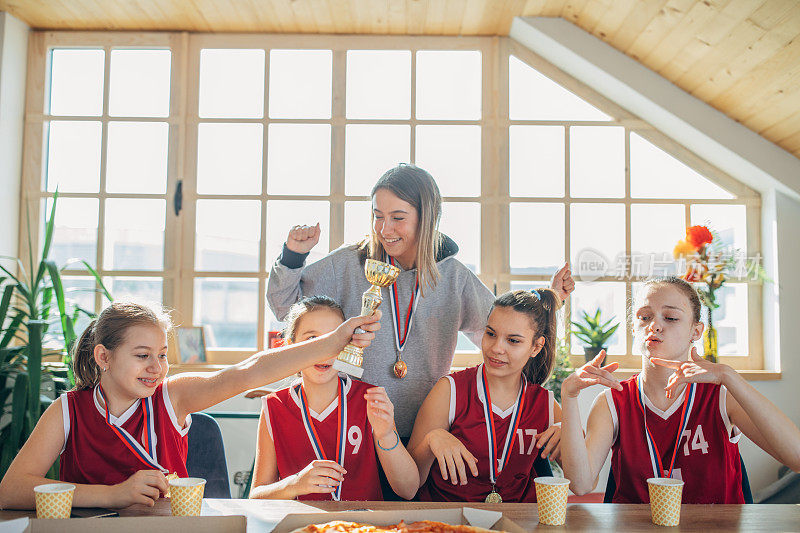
(124, 425)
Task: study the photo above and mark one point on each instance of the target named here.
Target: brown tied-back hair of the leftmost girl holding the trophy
(109, 329)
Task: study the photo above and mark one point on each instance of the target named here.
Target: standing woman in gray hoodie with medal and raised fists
(434, 297)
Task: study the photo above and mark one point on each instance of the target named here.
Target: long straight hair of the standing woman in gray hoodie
(417, 187)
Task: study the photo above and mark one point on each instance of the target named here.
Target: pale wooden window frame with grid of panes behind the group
(179, 272)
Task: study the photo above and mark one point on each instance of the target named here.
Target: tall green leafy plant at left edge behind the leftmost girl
(36, 320)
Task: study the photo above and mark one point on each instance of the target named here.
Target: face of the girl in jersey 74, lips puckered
(663, 323)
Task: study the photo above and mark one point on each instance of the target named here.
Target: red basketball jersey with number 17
(467, 424)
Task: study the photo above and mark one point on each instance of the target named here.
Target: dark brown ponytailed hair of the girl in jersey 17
(540, 305)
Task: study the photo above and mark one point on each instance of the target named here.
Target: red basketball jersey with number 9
(294, 451)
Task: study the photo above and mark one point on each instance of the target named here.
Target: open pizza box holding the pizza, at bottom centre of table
(456, 516)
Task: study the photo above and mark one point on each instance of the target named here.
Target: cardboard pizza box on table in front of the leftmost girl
(137, 524)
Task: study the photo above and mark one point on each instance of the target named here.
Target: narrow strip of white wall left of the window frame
(13, 68)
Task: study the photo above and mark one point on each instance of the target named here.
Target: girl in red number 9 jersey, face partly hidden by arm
(318, 438)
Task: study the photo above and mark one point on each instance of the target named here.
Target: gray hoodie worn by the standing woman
(460, 302)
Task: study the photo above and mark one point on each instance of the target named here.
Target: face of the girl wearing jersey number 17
(509, 341)
